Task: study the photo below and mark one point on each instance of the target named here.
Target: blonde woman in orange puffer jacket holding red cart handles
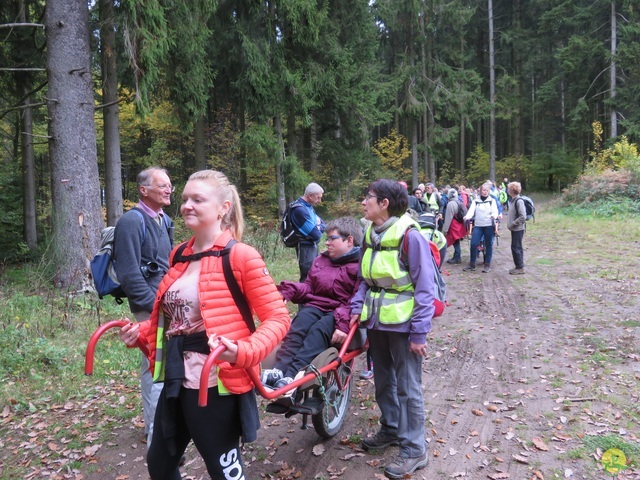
(193, 314)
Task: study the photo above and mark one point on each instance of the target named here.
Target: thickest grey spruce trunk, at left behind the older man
(75, 187)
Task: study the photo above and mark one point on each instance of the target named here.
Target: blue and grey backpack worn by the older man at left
(102, 268)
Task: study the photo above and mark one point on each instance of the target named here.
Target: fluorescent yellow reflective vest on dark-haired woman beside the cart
(390, 293)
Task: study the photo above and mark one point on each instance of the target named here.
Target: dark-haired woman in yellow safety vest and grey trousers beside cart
(395, 303)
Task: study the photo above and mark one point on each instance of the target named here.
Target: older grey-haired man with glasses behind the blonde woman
(143, 240)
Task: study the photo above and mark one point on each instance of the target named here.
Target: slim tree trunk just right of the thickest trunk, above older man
(112, 159)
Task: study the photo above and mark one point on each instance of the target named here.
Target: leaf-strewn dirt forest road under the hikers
(528, 377)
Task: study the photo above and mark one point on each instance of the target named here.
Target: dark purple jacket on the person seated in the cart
(329, 286)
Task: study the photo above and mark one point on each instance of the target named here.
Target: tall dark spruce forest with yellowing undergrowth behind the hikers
(280, 93)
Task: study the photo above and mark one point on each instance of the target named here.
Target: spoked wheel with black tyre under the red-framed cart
(328, 422)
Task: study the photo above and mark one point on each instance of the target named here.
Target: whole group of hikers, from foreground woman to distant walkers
(377, 272)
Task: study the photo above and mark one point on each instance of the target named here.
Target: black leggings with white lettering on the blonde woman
(214, 429)
